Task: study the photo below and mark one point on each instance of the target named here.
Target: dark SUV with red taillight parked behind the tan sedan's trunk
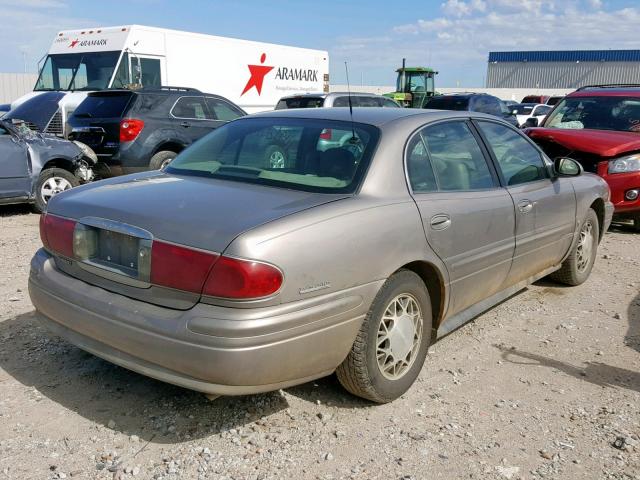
(136, 130)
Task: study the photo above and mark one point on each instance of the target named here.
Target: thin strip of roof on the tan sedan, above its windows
(376, 116)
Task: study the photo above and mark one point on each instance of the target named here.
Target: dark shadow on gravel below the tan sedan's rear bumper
(101, 392)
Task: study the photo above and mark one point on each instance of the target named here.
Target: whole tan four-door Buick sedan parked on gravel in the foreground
(225, 275)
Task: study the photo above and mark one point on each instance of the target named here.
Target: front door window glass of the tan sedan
(518, 160)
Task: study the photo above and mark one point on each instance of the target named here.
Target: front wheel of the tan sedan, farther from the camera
(577, 267)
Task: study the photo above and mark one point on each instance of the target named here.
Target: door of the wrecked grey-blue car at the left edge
(14, 167)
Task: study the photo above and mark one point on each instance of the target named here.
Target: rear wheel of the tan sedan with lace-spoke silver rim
(392, 343)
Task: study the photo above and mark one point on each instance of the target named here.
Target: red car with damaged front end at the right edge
(600, 128)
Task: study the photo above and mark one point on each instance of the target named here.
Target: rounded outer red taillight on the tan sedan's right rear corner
(242, 279)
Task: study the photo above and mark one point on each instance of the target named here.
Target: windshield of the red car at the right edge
(598, 113)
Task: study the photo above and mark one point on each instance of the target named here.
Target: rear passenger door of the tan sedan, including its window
(468, 218)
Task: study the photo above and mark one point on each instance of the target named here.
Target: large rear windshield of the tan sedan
(301, 154)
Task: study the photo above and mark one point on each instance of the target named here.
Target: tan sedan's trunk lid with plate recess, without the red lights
(200, 213)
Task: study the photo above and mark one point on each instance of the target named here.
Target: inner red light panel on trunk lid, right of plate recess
(180, 267)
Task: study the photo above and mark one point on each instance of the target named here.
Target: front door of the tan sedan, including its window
(545, 207)
